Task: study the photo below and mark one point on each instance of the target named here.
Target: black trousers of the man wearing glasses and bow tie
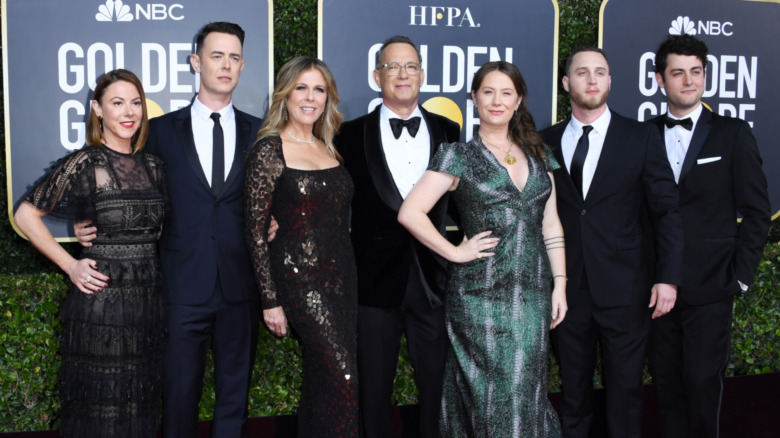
(379, 342)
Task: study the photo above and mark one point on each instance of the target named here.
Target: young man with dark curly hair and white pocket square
(717, 166)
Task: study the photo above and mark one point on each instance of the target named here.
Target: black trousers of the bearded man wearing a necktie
(622, 333)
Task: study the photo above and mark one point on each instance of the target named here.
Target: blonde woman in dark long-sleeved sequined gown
(307, 275)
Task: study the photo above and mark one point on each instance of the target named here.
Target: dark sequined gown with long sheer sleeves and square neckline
(309, 269)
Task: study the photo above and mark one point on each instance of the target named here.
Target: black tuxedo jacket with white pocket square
(721, 176)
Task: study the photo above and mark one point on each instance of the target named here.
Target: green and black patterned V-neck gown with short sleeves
(498, 308)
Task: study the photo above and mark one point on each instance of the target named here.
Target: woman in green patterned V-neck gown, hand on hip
(506, 285)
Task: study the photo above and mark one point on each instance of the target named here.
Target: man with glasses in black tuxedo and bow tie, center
(400, 282)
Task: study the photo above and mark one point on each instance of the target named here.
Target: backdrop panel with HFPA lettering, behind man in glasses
(455, 38)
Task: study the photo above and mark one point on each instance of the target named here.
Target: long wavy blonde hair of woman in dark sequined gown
(330, 120)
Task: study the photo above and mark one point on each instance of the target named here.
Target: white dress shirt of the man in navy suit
(203, 134)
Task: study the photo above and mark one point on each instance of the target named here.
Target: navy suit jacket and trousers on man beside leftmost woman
(208, 284)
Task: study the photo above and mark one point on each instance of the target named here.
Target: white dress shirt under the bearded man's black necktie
(596, 143)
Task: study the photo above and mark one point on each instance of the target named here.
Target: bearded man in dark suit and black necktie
(618, 205)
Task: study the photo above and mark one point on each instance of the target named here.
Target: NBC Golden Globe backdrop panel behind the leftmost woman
(56, 50)
